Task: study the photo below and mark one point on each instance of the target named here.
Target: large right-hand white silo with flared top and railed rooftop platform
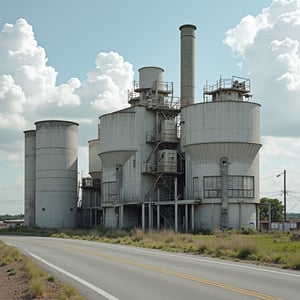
(221, 138)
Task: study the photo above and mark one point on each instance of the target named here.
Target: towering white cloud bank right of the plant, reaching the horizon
(268, 44)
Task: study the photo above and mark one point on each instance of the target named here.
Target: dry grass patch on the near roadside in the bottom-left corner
(37, 277)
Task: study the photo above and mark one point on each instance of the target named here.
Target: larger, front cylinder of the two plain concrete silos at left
(56, 173)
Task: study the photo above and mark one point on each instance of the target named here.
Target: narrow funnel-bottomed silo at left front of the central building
(117, 147)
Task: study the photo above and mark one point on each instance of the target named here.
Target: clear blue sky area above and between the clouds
(143, 32)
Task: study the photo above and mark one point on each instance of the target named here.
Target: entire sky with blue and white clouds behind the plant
(75, 60)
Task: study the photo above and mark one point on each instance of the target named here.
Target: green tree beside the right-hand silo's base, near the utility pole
(277, 210)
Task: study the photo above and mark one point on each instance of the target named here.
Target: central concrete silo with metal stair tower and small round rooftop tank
(138, 148)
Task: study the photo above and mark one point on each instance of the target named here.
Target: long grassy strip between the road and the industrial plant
(276, 248)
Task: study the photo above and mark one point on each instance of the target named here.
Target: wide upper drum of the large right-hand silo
(207, 123)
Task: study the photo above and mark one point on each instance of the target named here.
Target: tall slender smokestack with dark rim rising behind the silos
(187, 66)
